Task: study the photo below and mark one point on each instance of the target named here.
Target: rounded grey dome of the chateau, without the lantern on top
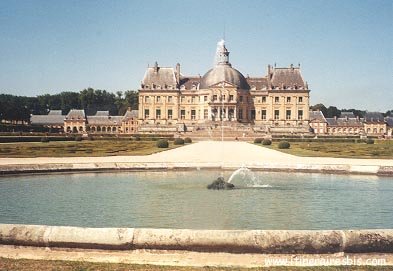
(224, 73)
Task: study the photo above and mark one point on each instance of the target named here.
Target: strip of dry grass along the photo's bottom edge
(25, 265)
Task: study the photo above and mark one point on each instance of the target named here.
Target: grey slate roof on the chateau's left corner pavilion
(159, 76)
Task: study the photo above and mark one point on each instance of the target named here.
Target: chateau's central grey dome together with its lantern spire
(223, 71)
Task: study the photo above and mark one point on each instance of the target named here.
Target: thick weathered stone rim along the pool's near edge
(233, 241)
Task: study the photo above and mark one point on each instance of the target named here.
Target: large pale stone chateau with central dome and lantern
(171, 101)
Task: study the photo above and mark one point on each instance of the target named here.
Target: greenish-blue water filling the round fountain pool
(181, 200)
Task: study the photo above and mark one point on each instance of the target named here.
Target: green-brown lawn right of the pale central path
(381, 149)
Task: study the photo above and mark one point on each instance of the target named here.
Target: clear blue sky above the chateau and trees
(345, 48)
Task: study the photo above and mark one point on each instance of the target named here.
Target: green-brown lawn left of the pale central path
(80, 148)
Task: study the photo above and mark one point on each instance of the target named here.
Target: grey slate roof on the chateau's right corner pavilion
(287, 77)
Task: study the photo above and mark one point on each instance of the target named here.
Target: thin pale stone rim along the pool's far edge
(105, 166)
